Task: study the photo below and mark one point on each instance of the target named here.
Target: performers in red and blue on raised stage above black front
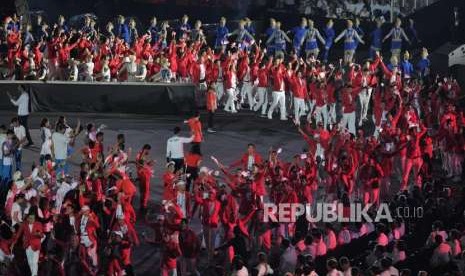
(122, 51)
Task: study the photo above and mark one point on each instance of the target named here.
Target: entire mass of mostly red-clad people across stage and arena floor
(376, 132)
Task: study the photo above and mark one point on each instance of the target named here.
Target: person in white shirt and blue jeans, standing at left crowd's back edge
(60, 143)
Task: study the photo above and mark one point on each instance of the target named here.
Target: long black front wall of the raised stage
(139, 98)
